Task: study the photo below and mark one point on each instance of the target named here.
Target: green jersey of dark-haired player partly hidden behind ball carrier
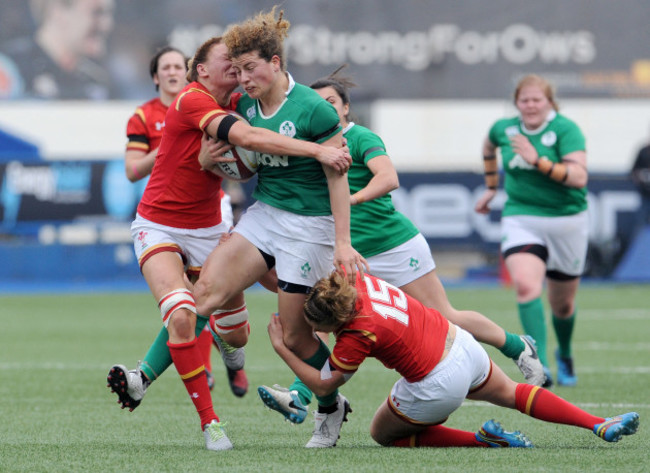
(375, 225)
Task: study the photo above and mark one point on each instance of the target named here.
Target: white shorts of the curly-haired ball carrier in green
(303, 246)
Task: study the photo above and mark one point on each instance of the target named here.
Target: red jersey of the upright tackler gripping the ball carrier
(179, 194)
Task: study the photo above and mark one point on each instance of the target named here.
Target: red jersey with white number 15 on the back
(392, 327)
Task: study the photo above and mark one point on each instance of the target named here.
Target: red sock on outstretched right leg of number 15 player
(544, 405)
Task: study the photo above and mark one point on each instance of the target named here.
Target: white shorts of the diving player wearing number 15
(431, 400)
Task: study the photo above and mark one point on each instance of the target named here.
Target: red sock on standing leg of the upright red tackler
(189, 364)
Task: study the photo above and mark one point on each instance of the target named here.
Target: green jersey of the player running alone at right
(529, 191)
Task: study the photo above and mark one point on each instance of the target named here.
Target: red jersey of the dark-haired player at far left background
(144, 128)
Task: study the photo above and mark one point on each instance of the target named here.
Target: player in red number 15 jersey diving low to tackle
(440, 363)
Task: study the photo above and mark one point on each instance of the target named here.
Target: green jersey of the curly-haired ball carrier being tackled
(292, 183)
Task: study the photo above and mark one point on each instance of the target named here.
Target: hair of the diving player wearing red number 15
(331, 301)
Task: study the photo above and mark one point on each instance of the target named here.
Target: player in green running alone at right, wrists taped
(544, 220)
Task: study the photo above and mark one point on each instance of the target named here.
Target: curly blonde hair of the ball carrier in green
(262, 33)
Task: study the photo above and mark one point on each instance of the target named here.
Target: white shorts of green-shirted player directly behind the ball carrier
(405, 263)
